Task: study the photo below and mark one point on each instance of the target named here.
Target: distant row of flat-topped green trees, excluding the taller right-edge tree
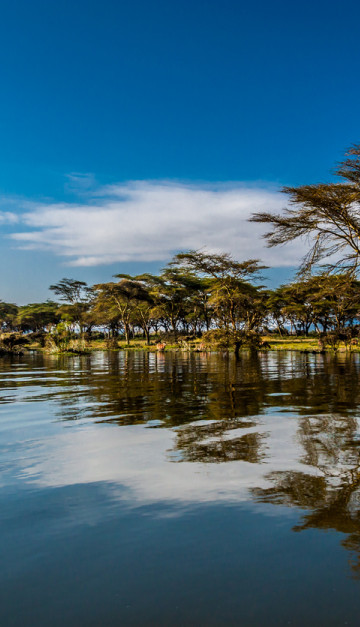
(199, 301)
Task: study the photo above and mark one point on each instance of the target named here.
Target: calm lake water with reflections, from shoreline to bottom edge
(179, 489)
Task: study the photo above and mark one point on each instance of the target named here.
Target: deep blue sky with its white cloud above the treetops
(205, 105)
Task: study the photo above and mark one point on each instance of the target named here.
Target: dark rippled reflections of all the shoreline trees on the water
(222, 410)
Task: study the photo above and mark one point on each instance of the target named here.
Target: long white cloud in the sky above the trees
(149, 221)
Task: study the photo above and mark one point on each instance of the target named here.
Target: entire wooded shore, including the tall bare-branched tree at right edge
(205, 301)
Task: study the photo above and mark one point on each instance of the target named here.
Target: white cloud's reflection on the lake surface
(137, 458)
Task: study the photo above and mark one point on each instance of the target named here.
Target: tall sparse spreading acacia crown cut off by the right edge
(327, 214)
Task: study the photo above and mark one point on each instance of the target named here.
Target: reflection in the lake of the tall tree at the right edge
(332, 497)
